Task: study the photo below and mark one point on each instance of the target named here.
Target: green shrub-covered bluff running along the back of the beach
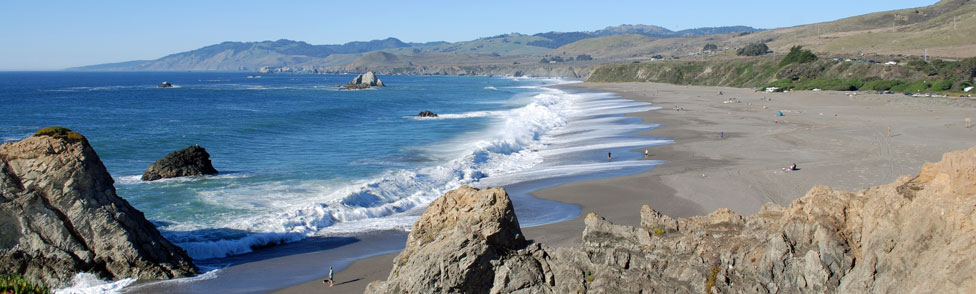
(801, 69)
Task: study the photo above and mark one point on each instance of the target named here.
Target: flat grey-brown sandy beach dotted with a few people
(730, 151)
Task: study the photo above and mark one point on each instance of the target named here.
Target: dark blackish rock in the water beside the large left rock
(192, 161)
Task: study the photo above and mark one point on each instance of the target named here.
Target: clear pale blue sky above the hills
(51, 35)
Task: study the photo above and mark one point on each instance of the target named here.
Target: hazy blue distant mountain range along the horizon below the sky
(252, 56)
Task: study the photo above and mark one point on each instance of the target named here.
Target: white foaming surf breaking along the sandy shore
(512, 150)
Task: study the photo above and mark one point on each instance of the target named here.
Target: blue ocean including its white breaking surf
(300, 159)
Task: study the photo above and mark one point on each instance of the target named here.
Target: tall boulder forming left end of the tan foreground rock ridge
(455, 244)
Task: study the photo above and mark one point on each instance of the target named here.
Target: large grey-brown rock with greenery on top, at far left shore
(59, 215)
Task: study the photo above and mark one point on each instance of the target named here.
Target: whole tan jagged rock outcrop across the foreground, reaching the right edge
(914, 235)
